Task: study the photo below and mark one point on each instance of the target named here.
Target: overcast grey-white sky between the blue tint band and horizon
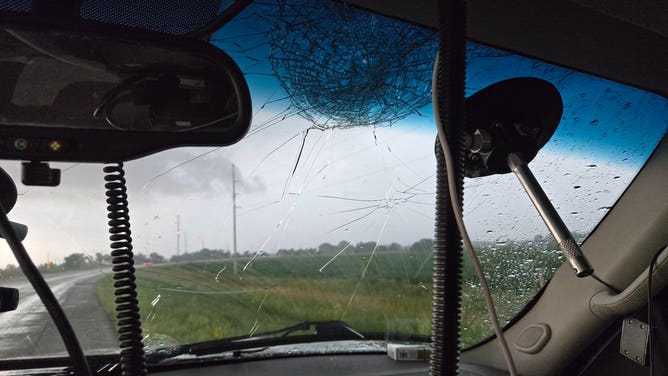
(360, 184)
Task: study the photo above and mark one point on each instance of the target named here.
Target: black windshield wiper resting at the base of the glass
(327, 330)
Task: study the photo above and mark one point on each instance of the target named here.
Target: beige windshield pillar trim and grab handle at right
(620, 249)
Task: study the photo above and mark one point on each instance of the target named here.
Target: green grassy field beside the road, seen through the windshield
(192, 302)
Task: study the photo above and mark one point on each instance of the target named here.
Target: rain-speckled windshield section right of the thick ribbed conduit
(606, 134)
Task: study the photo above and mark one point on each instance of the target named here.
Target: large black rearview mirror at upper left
(100, 95)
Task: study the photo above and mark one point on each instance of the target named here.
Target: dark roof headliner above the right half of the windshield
(625, 41)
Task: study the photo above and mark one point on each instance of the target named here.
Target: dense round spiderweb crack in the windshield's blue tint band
(342, 67)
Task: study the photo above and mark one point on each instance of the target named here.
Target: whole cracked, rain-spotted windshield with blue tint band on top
(325, 210)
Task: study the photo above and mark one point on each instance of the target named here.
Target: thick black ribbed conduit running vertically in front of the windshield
(446, 304)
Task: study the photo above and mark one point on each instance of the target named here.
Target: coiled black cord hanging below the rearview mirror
(133, 361)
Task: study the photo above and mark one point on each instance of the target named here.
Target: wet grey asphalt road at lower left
(29, 331)
